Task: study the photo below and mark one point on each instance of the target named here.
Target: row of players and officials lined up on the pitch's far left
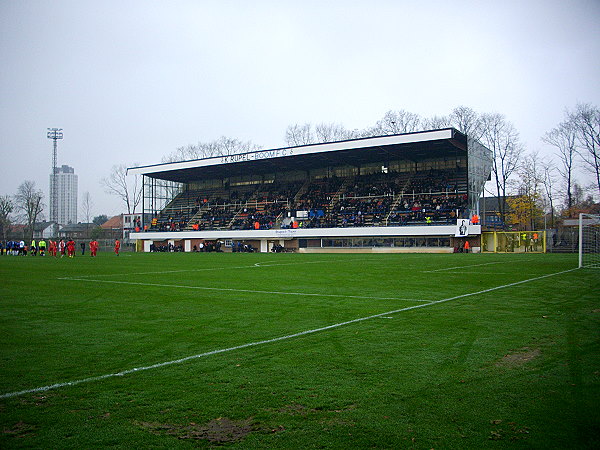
(64, 247)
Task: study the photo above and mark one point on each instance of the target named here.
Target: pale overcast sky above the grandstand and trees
(130, 81)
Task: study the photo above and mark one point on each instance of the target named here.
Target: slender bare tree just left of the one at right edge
(563, 137)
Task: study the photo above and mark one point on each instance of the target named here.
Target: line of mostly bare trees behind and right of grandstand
(543, 183)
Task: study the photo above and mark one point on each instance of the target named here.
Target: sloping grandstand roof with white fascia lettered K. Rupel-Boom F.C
(417, 146)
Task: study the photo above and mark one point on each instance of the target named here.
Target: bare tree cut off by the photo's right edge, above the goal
(586, 120)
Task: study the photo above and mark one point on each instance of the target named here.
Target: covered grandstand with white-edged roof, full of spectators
(405, 192)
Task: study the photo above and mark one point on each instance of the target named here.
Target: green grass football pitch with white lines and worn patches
(299, 351)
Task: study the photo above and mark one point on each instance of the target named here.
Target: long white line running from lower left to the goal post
(269, 341)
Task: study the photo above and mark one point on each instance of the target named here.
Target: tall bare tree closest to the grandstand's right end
(502, 139)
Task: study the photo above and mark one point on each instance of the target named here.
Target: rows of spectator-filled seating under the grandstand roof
(377, 199)
